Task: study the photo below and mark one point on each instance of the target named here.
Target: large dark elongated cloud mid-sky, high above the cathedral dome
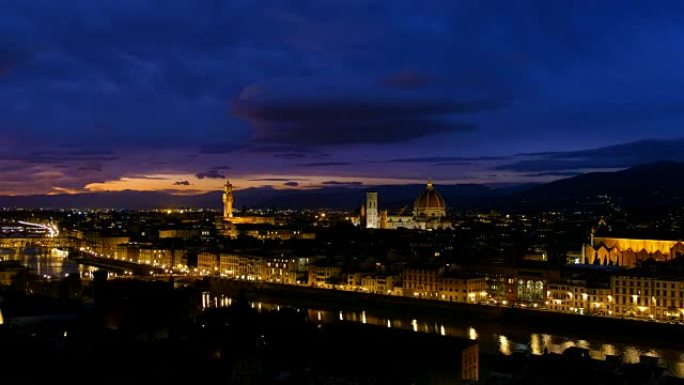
(338, 122)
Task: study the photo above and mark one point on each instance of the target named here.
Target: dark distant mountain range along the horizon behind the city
(652, 184)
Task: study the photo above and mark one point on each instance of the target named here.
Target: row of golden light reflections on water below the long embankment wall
(493, 339)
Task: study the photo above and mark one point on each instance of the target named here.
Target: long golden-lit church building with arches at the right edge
(626, 252)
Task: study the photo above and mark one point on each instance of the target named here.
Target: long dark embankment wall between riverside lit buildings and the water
(670, 336)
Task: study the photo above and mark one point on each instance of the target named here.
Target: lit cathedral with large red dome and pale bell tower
(429, 212)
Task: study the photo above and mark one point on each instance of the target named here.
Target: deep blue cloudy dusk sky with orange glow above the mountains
(177, 95)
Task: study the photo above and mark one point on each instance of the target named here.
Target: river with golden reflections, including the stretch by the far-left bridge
(493, 338)
